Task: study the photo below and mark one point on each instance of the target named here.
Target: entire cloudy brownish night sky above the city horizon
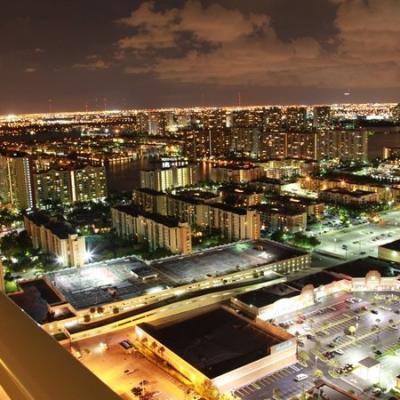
(72, 54)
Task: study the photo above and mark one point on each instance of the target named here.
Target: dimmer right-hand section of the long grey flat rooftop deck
(225, 259)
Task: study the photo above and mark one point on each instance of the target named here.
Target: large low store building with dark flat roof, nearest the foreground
(218, 347)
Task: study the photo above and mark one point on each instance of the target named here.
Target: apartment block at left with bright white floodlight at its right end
(57, 238)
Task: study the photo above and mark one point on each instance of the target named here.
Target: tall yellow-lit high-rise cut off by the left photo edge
(16, 181)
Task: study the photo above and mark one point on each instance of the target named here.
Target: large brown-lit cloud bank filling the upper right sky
(230, 47)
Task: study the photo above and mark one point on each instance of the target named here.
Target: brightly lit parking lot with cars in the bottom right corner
(333, 337)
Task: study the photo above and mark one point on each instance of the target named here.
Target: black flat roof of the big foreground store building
(215, 342)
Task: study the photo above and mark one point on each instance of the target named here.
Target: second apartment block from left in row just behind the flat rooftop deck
(158, 231)
